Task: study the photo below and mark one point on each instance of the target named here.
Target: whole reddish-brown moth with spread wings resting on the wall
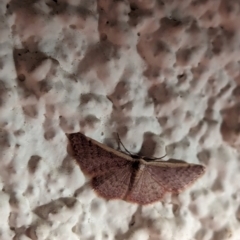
(116, 175)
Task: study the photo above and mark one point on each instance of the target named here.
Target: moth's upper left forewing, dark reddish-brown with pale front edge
(95, 158)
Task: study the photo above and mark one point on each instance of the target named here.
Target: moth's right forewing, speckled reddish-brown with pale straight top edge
(174, 177)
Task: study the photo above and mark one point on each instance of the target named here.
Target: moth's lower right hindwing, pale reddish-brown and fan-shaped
(145, 189)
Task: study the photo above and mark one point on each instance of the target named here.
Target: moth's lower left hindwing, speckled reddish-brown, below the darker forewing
(113, 184)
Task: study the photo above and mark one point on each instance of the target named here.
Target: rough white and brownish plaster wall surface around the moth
(163, 74)
